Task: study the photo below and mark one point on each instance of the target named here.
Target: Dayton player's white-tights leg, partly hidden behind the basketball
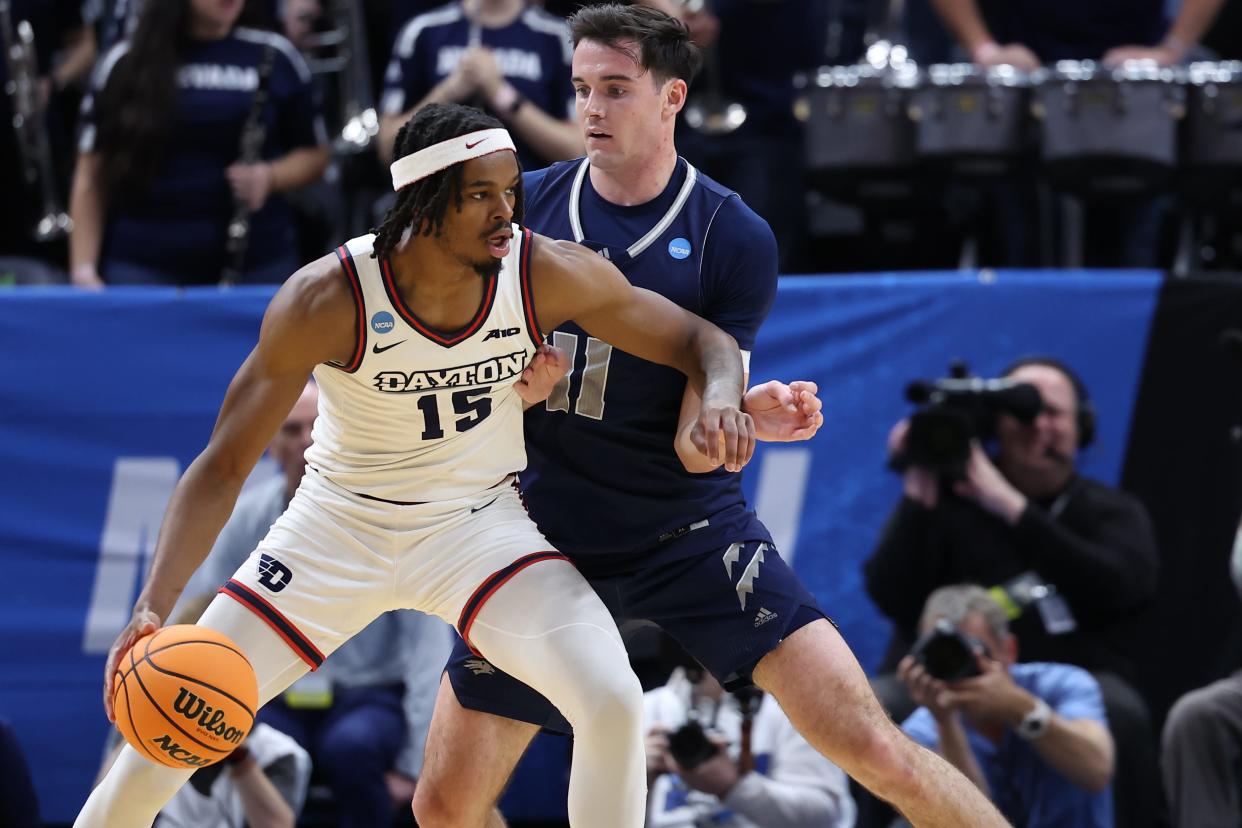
(136, 789)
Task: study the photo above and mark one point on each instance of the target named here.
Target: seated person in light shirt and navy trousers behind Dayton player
(363, 716)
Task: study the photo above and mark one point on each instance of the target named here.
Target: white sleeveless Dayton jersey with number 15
(420, 415)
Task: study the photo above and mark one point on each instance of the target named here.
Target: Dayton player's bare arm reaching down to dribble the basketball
(311, 320)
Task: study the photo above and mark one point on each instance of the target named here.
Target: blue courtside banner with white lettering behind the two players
(105, 399)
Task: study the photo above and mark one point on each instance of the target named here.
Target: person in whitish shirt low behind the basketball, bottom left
(260, 785)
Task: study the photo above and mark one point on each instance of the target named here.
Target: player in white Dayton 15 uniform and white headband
(417, 337)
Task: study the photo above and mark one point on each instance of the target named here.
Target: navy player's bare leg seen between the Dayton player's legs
(469, 760)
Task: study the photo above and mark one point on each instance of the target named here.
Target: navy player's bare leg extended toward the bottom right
(825, 693)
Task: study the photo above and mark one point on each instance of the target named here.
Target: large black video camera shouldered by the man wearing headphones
(957, 410)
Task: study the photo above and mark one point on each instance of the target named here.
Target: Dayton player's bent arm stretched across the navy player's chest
(571, 282)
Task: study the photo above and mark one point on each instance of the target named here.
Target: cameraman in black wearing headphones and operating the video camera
(1072, 559)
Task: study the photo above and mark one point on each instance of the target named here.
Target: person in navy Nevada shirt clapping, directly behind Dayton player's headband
(504, 56)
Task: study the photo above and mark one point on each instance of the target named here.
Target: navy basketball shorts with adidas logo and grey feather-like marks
(727, 608)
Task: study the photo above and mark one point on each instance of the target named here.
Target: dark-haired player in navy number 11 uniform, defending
(661, 537)
